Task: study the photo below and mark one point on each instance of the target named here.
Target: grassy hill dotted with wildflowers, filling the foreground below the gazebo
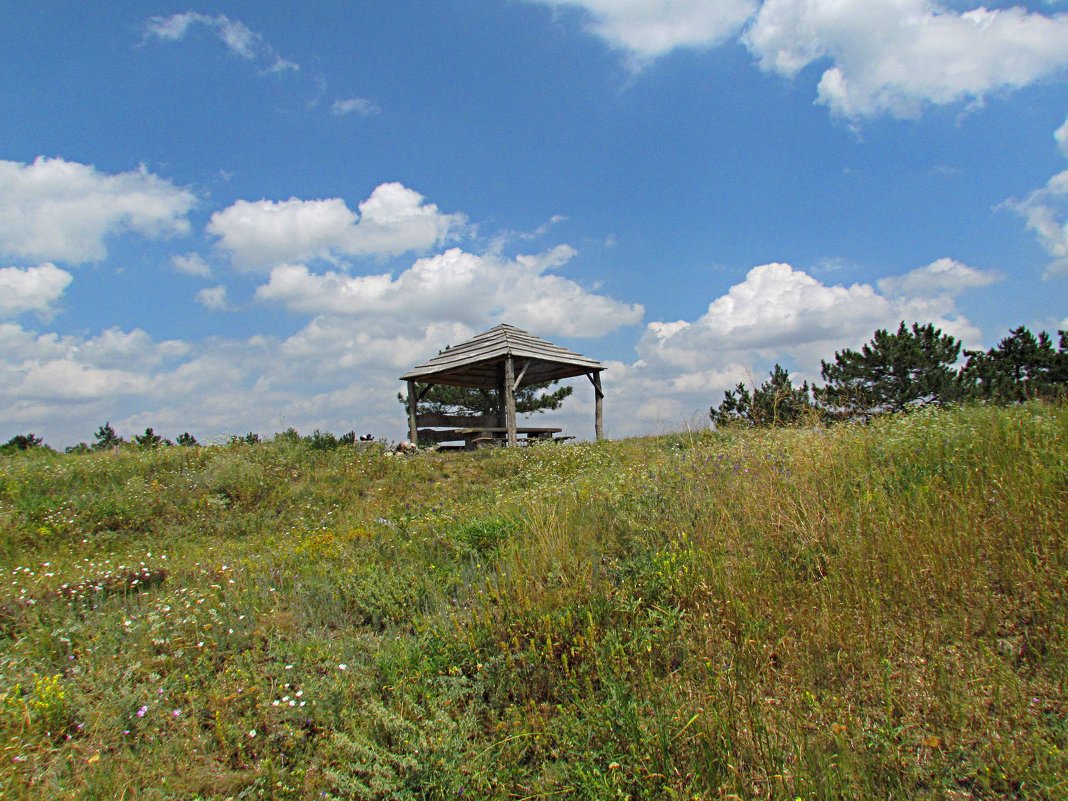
(861, 612)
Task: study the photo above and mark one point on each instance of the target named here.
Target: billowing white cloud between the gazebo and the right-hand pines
(778, 315)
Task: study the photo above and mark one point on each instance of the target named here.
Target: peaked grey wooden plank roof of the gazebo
(477, 363)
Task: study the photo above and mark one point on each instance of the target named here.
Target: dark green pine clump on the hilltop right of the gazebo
(894, 372)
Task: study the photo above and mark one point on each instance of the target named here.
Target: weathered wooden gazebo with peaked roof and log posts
(504, 358)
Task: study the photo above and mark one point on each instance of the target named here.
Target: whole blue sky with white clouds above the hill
(232, 217)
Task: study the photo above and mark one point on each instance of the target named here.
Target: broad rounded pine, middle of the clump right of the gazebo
(894, 372)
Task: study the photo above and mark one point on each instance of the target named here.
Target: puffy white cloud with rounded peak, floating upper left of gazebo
(394, 221)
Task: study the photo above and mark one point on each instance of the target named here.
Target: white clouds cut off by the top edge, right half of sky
(878, 57)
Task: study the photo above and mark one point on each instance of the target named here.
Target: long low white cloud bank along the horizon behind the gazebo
(341, 370)
